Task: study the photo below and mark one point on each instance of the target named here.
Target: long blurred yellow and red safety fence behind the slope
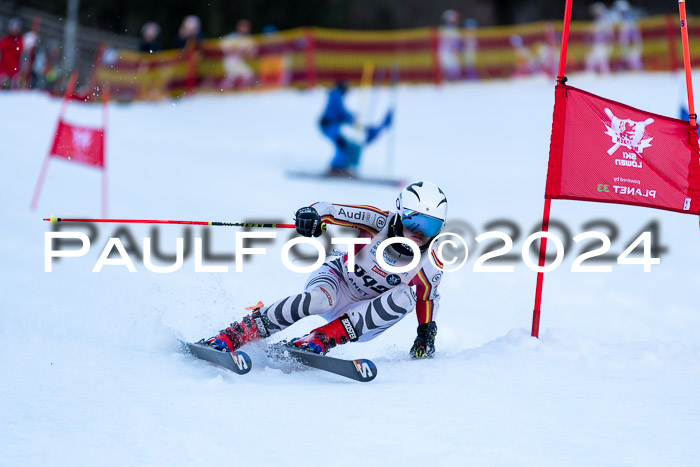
(306, 57)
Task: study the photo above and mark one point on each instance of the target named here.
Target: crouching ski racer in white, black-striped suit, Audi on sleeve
(363, 301)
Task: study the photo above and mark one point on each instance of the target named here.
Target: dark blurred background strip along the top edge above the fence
(219, 17)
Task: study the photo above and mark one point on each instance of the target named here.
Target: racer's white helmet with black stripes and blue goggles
(422, 207)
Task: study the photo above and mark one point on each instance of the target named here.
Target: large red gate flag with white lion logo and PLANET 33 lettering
(605, 151)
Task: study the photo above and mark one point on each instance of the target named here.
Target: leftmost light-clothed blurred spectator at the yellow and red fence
(237, 48)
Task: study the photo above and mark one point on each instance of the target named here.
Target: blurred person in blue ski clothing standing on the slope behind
(338, 124)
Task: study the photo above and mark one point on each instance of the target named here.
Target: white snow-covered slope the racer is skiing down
(90, 367)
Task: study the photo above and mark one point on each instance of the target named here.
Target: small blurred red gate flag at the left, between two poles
(79, 144)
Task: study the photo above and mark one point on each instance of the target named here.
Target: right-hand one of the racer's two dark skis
(362, 370)
